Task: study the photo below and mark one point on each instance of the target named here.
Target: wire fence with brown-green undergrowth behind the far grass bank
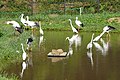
(72, 7)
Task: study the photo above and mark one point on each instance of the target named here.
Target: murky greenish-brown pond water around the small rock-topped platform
(99, 63)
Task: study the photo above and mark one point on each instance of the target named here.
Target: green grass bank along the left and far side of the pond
(9, 43)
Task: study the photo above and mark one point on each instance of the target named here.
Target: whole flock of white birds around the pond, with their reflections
(75, 38)
